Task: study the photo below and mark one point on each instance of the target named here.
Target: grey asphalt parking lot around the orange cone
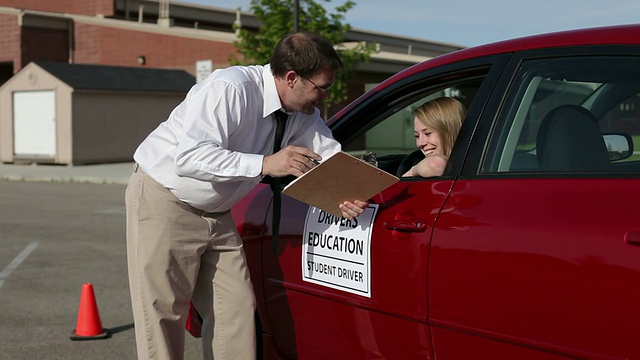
(54, 237)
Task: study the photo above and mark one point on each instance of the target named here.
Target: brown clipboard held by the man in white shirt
(341, 177)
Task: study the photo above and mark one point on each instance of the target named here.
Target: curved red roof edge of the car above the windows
(609, 35)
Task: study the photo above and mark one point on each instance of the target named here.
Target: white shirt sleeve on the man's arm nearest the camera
(210, 116)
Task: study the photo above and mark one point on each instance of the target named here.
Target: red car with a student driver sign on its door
(528, 247)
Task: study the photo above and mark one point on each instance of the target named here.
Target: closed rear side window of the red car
(570, 115)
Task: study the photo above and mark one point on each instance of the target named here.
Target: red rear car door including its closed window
(535, 254)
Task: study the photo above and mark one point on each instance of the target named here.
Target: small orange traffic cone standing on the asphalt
(88, 326)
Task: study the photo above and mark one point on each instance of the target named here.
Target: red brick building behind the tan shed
(161, 34)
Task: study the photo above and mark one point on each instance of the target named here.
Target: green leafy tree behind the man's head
(277, 19)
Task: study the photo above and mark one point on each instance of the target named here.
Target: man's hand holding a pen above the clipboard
(292, 160)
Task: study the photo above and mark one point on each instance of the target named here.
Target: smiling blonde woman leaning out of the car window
(436, 126)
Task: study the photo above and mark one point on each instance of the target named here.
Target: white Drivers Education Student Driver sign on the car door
(336, 251)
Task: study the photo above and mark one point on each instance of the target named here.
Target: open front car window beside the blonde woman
(392, 138)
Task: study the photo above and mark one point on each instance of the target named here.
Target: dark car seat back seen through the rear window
(569, 139)
